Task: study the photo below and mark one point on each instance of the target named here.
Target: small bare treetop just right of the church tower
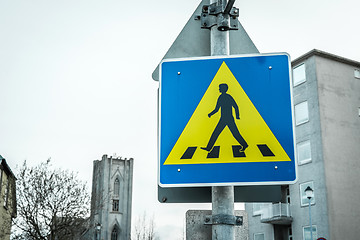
(144, 228)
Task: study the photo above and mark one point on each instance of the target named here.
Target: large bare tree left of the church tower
(51, 203)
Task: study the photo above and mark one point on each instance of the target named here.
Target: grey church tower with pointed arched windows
(111, 199)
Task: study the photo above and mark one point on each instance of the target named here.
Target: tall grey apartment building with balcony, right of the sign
(326, 95)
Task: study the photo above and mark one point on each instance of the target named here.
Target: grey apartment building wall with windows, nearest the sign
(314, 170)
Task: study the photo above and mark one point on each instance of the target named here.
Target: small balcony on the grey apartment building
(276, 213)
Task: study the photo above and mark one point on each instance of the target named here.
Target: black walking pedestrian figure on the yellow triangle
(226, 102)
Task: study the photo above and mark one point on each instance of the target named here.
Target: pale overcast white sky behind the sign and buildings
(75, 77)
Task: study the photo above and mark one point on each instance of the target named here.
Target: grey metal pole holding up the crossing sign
(222, 197)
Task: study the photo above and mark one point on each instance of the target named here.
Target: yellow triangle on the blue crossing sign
(200, 127)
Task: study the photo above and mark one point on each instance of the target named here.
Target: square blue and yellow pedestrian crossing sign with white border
(226, 121)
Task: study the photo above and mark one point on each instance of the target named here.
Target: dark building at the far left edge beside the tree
(7, 199)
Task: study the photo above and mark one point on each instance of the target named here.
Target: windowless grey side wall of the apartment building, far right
(339, 98)
